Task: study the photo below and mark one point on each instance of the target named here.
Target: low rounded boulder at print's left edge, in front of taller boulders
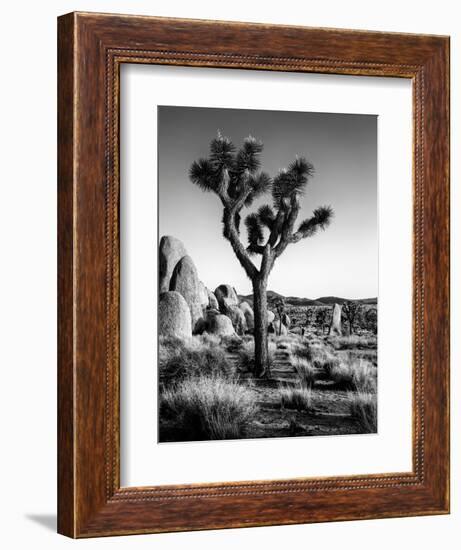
(174, 315)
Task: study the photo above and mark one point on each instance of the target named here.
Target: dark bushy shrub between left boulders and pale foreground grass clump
(192, 360)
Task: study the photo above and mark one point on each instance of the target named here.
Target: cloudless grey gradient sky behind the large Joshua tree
(340, 261)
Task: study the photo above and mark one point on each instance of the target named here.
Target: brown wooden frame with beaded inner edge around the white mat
(91, 49)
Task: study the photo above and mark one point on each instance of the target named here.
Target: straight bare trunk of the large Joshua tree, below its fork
(260, 327)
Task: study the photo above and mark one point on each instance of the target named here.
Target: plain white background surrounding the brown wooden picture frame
(28, 271)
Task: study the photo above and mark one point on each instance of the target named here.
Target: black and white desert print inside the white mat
(268, 274)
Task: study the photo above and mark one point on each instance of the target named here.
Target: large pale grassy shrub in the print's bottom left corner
(208, 407)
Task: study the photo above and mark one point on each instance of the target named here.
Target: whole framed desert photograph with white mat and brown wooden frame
(253, 275)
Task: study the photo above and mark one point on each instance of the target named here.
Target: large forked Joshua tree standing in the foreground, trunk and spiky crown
(235, 177)
